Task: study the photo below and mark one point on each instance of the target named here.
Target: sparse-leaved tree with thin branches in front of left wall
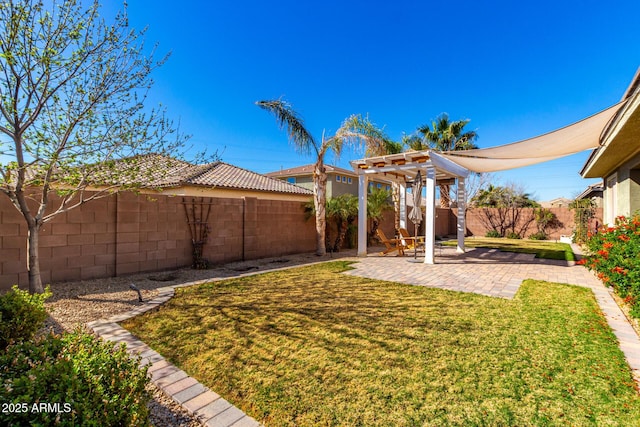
(72, 92)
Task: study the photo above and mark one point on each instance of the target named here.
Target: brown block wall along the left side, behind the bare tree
(128, 233)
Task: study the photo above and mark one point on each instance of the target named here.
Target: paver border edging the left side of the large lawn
(205, 405)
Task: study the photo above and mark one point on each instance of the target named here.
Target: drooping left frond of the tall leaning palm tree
(290, 121)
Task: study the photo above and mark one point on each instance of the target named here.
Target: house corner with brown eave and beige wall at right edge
(617, 160)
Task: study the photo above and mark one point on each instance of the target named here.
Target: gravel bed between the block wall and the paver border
(75, 303)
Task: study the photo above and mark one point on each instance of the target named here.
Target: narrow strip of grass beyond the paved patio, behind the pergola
(542, 249)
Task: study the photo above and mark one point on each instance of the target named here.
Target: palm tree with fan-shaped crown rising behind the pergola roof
(446, 135)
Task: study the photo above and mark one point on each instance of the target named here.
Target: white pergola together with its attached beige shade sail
(402, 168)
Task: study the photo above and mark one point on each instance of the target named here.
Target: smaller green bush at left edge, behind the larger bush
(21, 315)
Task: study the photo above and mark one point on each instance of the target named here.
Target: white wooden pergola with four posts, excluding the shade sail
(403, 168)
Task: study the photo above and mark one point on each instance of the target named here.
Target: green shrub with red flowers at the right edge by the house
(615, 257)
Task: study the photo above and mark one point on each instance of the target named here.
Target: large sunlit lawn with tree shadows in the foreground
(310, 346)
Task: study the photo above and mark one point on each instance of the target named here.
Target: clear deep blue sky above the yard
(515, 69)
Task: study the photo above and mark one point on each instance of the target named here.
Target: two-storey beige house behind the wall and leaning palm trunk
(339, 180)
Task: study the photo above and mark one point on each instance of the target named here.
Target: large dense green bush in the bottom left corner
(84, 380)
